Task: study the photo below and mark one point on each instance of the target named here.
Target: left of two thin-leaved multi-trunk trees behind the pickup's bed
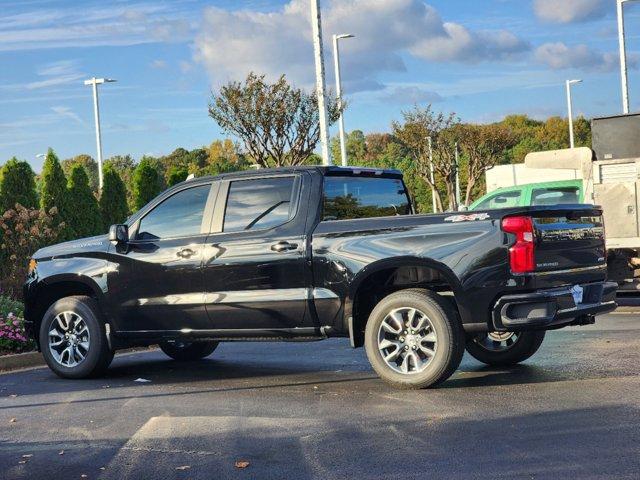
(420, 124)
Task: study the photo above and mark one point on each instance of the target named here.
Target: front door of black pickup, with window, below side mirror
(159, 283)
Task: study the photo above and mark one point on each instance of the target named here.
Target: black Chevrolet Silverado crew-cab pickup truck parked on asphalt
(307, 253)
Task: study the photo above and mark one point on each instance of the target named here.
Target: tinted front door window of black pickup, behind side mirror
(178, 216)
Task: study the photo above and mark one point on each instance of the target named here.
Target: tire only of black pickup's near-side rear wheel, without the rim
(444, 322)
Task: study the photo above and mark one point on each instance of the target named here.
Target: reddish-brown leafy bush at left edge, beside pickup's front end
(23, 231)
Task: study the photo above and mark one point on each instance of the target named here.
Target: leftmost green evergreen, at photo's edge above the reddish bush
(17, 185)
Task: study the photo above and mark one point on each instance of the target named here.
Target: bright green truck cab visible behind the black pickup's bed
(545, 193)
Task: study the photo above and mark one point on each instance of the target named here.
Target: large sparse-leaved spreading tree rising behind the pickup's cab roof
(277, 123)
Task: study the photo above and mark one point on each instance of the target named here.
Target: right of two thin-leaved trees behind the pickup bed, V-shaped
(484, 146)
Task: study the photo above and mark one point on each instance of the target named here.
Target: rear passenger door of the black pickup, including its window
(255, 268)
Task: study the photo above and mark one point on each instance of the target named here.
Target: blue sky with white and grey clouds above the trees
(482, 59)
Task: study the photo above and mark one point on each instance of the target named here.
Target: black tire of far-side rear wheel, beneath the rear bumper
(522, 348)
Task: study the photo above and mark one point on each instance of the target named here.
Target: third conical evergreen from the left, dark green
(84, 217)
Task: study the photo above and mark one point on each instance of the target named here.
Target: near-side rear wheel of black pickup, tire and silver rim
(414, 339)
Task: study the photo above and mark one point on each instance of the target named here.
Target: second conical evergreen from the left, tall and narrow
(54, 194)
